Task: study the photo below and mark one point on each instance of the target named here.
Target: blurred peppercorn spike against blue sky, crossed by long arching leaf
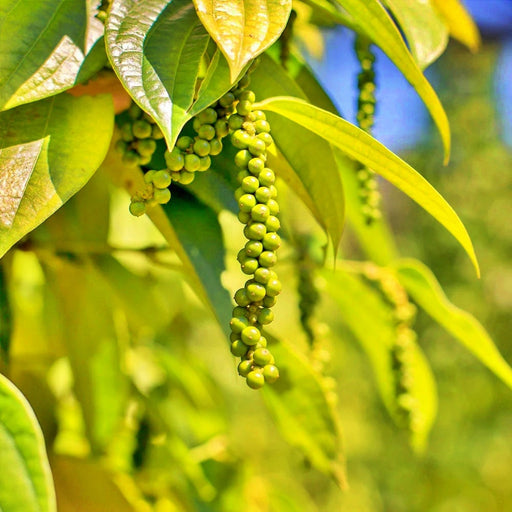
(368, 191)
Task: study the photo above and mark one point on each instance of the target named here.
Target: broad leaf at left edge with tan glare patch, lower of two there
(48, 151)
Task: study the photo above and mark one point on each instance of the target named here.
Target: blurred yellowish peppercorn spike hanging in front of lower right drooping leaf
(401, 352)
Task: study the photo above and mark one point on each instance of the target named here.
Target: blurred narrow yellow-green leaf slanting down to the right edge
(423, 287)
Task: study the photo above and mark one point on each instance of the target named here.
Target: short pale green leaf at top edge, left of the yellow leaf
(425, 30)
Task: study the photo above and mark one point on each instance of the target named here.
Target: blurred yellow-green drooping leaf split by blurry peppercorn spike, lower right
(364, 312)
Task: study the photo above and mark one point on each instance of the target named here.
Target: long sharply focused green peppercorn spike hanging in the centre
(256, 198)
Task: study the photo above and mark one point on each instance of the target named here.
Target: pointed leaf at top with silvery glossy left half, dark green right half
(162, 69)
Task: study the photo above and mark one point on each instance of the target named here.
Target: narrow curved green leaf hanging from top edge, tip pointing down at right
(373, 20)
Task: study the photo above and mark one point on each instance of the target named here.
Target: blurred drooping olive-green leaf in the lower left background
(90, 322)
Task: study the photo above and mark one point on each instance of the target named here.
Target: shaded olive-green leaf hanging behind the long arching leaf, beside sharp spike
(309, 169)
